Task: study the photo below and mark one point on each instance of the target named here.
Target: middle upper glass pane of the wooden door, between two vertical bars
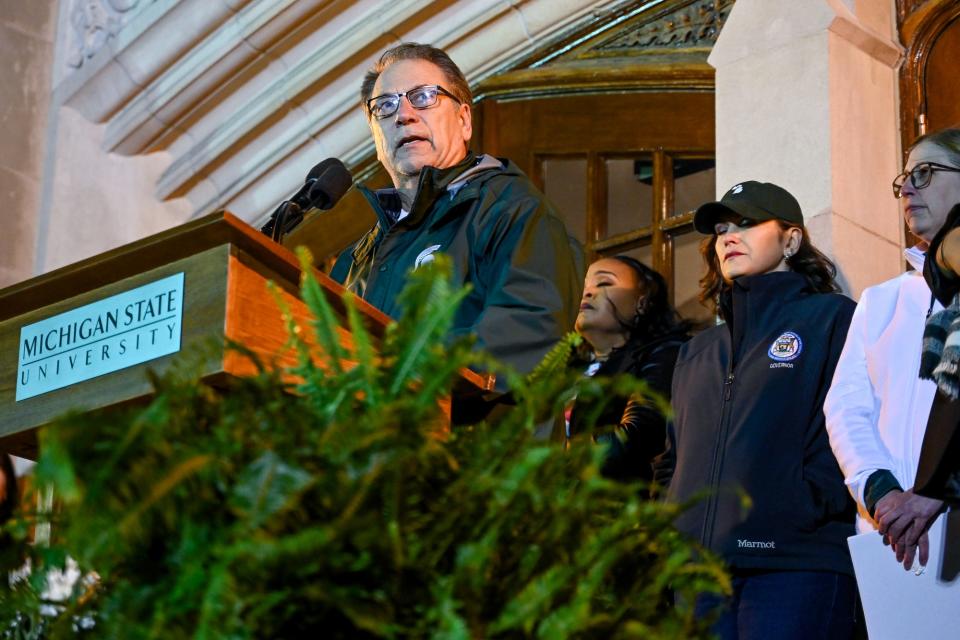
(629, 194)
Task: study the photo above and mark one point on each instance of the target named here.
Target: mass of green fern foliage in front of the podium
(337, 507)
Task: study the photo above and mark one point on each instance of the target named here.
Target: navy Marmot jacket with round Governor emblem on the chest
(748, 415)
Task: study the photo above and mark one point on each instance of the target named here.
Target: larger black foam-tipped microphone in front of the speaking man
(326, 183)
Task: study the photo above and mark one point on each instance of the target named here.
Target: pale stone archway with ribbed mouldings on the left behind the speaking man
(166, 110)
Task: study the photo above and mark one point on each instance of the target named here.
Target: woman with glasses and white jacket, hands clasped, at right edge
(877, 406)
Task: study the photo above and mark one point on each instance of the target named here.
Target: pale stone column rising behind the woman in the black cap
(807, 98)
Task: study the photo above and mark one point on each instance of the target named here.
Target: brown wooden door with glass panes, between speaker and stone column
(626, 170)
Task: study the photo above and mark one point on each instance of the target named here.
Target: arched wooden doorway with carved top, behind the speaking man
(615, 123)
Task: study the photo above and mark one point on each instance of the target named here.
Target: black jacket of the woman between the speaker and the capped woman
(635, 429)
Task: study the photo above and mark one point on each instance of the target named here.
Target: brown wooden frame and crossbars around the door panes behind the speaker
(598, 125)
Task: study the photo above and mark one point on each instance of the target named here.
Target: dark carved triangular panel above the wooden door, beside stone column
(694, 25)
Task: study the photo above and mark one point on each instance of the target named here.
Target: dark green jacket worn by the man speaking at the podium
(505, 240)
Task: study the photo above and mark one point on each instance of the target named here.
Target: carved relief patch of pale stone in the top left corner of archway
(94, 23)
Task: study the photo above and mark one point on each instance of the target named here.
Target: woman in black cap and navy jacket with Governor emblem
(748, 435)
